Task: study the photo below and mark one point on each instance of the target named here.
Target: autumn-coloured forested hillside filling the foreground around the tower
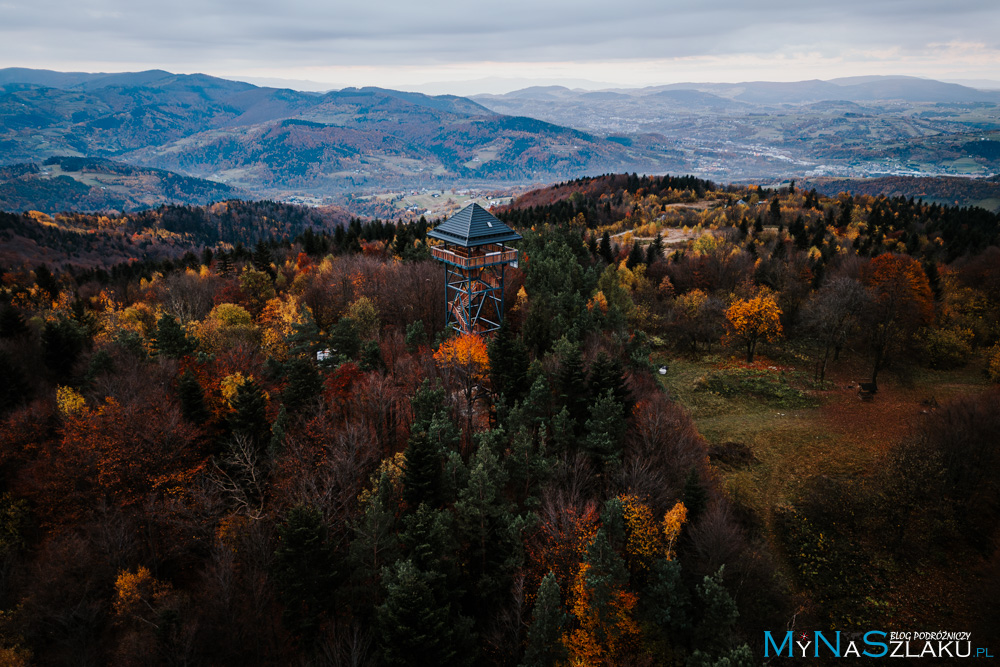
(267, 450)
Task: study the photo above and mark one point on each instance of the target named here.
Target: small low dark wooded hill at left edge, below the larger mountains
(96, 184)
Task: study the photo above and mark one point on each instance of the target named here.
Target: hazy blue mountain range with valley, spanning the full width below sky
(274, 142)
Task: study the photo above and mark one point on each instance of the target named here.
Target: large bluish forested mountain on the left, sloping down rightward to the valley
(271, 141)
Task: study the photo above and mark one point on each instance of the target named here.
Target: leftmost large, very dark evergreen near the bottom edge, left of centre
(304, 572)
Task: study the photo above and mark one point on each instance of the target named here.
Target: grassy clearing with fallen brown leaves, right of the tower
(796, 432)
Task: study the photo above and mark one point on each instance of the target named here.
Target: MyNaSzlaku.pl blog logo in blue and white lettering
(873, 644)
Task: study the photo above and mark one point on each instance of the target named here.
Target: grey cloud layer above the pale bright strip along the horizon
(442, 31)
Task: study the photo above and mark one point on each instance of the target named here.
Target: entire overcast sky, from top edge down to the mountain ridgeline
(470, 47)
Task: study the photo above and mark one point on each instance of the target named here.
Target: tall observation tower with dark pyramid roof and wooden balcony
(474, 255)
